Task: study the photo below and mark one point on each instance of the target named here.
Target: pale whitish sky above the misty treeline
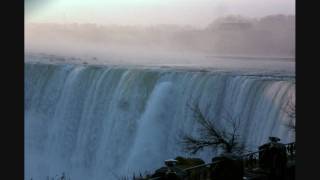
(150, 12)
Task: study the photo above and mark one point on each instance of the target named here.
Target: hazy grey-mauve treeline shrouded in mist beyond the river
(272, 35)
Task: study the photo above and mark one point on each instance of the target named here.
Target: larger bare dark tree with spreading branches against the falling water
(210, 135)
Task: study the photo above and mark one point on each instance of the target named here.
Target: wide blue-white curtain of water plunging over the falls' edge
(100, 122)
